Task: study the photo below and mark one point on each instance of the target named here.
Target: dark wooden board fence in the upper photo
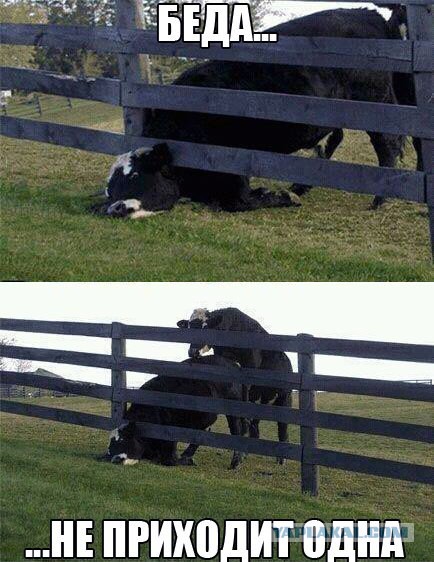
(133, 94)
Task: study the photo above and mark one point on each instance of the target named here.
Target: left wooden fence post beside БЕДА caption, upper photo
(134, 67)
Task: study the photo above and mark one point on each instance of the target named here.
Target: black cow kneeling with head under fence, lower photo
(126, 446)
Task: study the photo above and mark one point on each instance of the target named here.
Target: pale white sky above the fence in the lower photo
(399, 312)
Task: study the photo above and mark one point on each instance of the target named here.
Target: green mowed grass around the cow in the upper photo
(49, 235)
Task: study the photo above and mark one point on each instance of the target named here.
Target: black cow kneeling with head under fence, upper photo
(143, 182)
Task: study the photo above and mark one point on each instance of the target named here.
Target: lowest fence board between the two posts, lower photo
(220, 440)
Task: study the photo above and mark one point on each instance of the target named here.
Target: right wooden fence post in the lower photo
(307, 404)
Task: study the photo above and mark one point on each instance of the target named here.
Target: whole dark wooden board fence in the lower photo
(308, 453)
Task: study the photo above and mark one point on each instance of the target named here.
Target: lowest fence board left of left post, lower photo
(56, 414)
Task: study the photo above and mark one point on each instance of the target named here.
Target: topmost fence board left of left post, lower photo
(57, 327)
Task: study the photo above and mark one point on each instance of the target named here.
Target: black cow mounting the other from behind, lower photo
(234, 320)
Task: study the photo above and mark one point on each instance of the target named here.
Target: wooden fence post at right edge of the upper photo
(420, 28)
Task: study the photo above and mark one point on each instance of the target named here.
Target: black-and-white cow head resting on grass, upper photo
(140, 183)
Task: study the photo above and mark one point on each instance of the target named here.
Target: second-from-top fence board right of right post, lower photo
(370, 387)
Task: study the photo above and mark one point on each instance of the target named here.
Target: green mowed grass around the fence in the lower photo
(49, 470)
